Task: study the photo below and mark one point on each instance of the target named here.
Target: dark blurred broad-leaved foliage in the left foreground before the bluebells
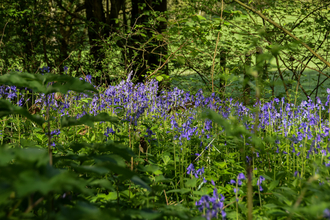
(32, 188)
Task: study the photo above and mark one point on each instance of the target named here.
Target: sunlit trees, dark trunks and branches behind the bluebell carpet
(199, 44)
